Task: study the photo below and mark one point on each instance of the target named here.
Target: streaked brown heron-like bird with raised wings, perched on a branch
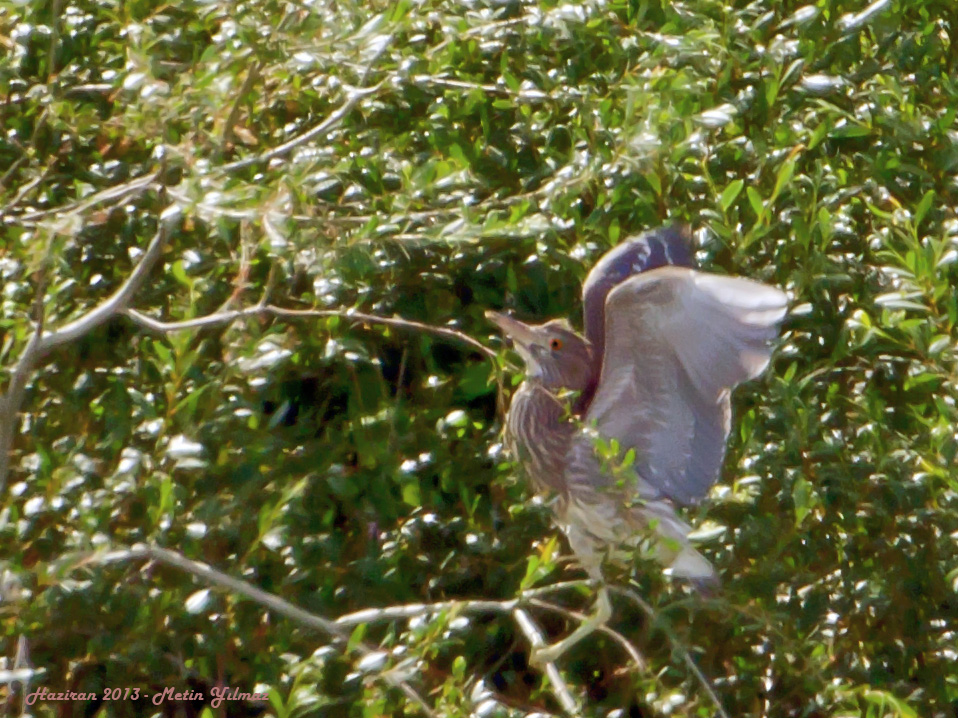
(630, 420)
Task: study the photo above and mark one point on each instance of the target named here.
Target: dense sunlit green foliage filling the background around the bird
(469, 155)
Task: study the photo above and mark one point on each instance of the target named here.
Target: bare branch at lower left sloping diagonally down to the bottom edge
(258, 595)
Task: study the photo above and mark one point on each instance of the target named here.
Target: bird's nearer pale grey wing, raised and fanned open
(677, 342)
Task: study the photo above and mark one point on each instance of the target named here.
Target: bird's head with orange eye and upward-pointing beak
(555, 356)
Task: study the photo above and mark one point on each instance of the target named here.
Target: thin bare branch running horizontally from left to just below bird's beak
(232, 315)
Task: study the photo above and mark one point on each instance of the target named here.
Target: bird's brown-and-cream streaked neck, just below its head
(538, 433)
